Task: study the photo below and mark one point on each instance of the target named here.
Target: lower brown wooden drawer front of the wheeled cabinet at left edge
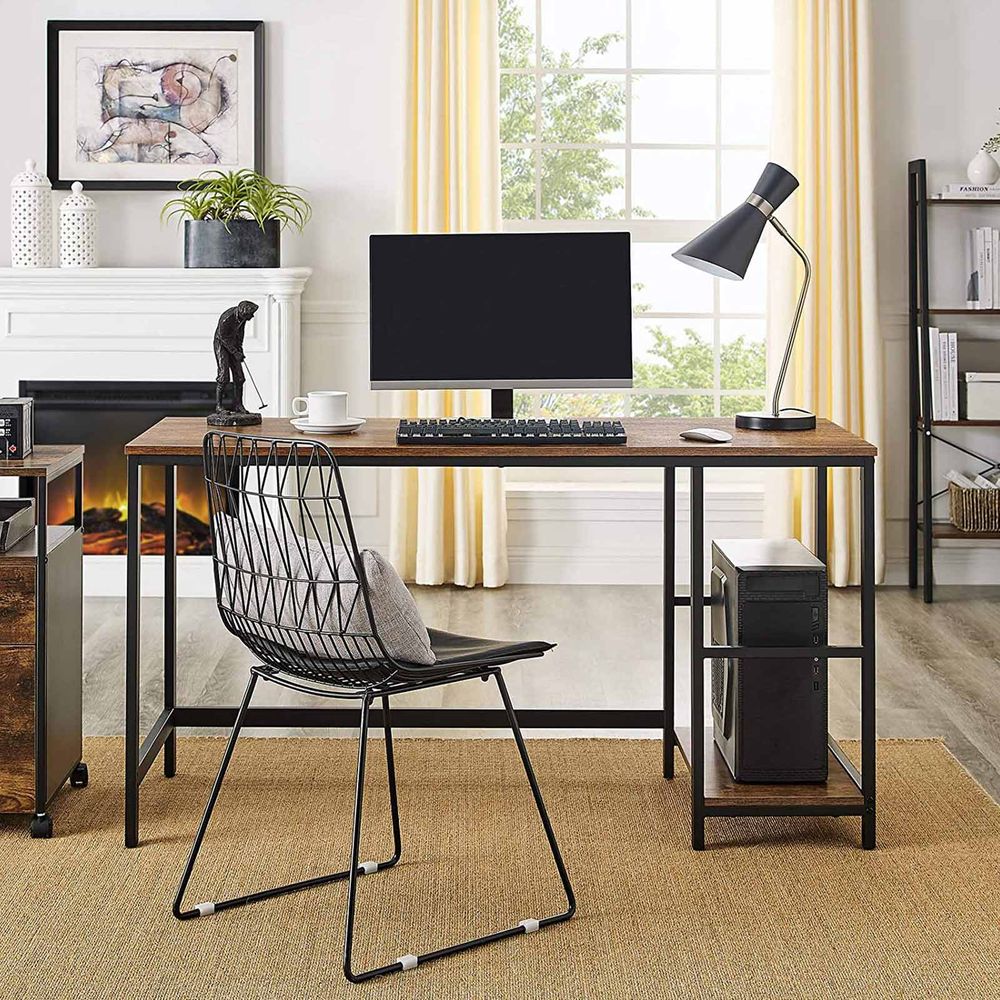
(17, 729)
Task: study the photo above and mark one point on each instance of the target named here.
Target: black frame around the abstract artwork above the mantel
(55, 28)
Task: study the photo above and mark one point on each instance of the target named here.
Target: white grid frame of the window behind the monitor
(642, 230)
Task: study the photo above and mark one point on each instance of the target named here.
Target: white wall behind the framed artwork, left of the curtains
(332, 126)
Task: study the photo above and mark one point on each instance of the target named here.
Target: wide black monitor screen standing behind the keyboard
(501, 311)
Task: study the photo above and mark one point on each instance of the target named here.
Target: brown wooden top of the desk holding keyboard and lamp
(648, 438)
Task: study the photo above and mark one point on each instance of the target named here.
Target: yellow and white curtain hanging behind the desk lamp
(822, 114)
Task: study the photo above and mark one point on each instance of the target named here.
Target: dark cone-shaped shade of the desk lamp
(727, 246)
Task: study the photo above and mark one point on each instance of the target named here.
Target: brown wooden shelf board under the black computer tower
(722, 790)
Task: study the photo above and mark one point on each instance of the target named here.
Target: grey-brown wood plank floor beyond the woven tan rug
(938, 665)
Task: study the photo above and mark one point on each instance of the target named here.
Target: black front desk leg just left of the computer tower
(697, 515)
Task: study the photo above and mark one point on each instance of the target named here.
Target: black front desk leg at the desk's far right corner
(868, 660)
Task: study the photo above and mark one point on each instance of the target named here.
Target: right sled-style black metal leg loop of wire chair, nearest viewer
(528, 926)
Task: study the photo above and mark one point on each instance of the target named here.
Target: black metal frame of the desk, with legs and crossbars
(139, 757)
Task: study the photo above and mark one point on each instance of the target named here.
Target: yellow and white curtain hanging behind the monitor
(450, 525)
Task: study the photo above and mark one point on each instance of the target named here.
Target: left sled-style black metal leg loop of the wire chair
(363, 868)
